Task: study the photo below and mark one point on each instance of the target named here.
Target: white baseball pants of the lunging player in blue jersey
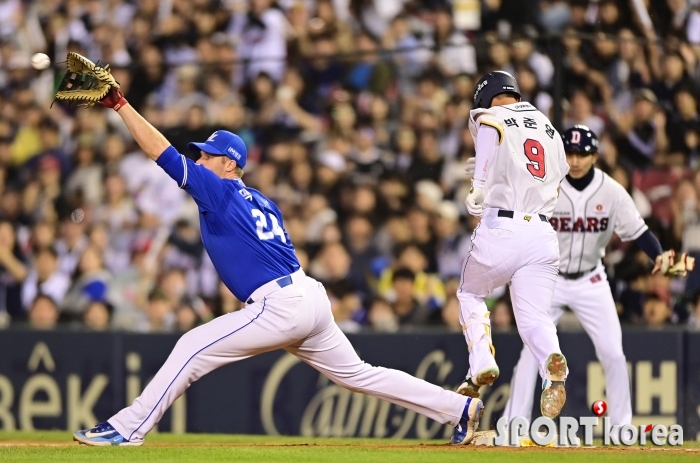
(297, 318)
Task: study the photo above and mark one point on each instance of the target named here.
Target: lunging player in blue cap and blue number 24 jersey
(244, 235)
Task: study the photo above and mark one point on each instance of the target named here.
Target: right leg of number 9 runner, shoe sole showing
(532, 291)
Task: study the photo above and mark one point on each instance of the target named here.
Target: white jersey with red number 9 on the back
(530, 163)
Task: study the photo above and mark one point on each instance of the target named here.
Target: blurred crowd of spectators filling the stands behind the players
(354, 113)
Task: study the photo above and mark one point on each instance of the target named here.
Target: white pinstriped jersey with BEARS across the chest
(585, 220)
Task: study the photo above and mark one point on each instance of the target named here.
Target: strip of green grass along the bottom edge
(55, 446)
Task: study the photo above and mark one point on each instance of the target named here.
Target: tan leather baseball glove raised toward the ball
(85, 82)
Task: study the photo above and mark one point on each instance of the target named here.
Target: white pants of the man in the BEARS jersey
(590, 299)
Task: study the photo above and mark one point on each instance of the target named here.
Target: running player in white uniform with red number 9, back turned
(520, 163)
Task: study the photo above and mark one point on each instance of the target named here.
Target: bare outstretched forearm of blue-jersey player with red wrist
(151, 141)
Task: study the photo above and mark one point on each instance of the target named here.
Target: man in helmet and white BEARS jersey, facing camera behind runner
(591, 207)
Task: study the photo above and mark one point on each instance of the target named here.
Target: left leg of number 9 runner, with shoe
(493, 256)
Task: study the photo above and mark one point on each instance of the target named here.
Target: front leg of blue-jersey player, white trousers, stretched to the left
(282, 317)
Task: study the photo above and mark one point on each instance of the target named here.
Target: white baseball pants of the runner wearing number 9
(524, 252)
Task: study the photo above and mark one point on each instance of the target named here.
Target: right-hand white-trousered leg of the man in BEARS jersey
(596, 311)
